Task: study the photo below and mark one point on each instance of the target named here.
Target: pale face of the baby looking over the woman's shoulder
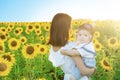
(84, 36)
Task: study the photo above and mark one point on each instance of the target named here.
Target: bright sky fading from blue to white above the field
(44, 10)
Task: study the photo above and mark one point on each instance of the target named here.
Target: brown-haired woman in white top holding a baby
(73, 67)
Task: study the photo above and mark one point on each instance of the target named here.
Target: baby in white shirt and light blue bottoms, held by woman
(83, 46)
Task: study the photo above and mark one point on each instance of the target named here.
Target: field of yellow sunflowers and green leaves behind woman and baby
(24, 50)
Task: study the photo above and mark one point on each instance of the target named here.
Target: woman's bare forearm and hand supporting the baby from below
(83, 69)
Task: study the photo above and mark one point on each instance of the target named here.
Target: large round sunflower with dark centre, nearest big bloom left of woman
(29, 51)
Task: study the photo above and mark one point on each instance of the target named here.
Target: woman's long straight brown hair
(59, 29)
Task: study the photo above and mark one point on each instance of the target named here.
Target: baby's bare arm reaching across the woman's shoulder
(71, 52)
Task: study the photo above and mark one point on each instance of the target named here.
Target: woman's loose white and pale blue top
(66, 63)
